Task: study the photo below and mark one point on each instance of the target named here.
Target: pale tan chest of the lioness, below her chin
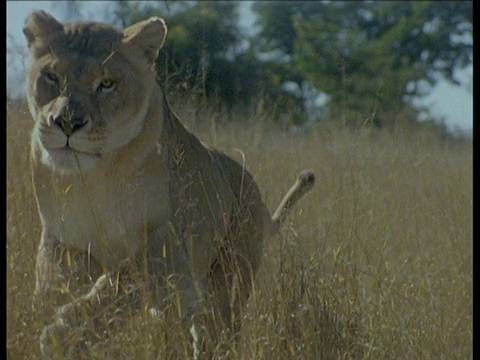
(110, 218)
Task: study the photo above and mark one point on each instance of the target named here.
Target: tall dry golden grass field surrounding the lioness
(375, 262)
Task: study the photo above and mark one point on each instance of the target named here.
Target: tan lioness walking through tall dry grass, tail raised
(119, 180)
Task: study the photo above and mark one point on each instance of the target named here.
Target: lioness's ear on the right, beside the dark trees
(149, 35)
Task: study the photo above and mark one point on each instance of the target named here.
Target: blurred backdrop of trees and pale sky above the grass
(348, 63)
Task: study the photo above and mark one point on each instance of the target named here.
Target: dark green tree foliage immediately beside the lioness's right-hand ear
(203, 53)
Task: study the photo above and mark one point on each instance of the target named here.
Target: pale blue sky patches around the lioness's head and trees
(452, 103)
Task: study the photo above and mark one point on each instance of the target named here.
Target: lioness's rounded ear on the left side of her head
(40, 25)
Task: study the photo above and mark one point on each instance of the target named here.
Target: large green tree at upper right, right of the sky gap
(370, 57)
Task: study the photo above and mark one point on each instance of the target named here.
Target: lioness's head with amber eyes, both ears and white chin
(88, 87)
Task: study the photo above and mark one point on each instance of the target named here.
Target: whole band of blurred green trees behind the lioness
(369, 57)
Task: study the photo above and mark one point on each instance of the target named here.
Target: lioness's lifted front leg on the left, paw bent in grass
(65, 283)
